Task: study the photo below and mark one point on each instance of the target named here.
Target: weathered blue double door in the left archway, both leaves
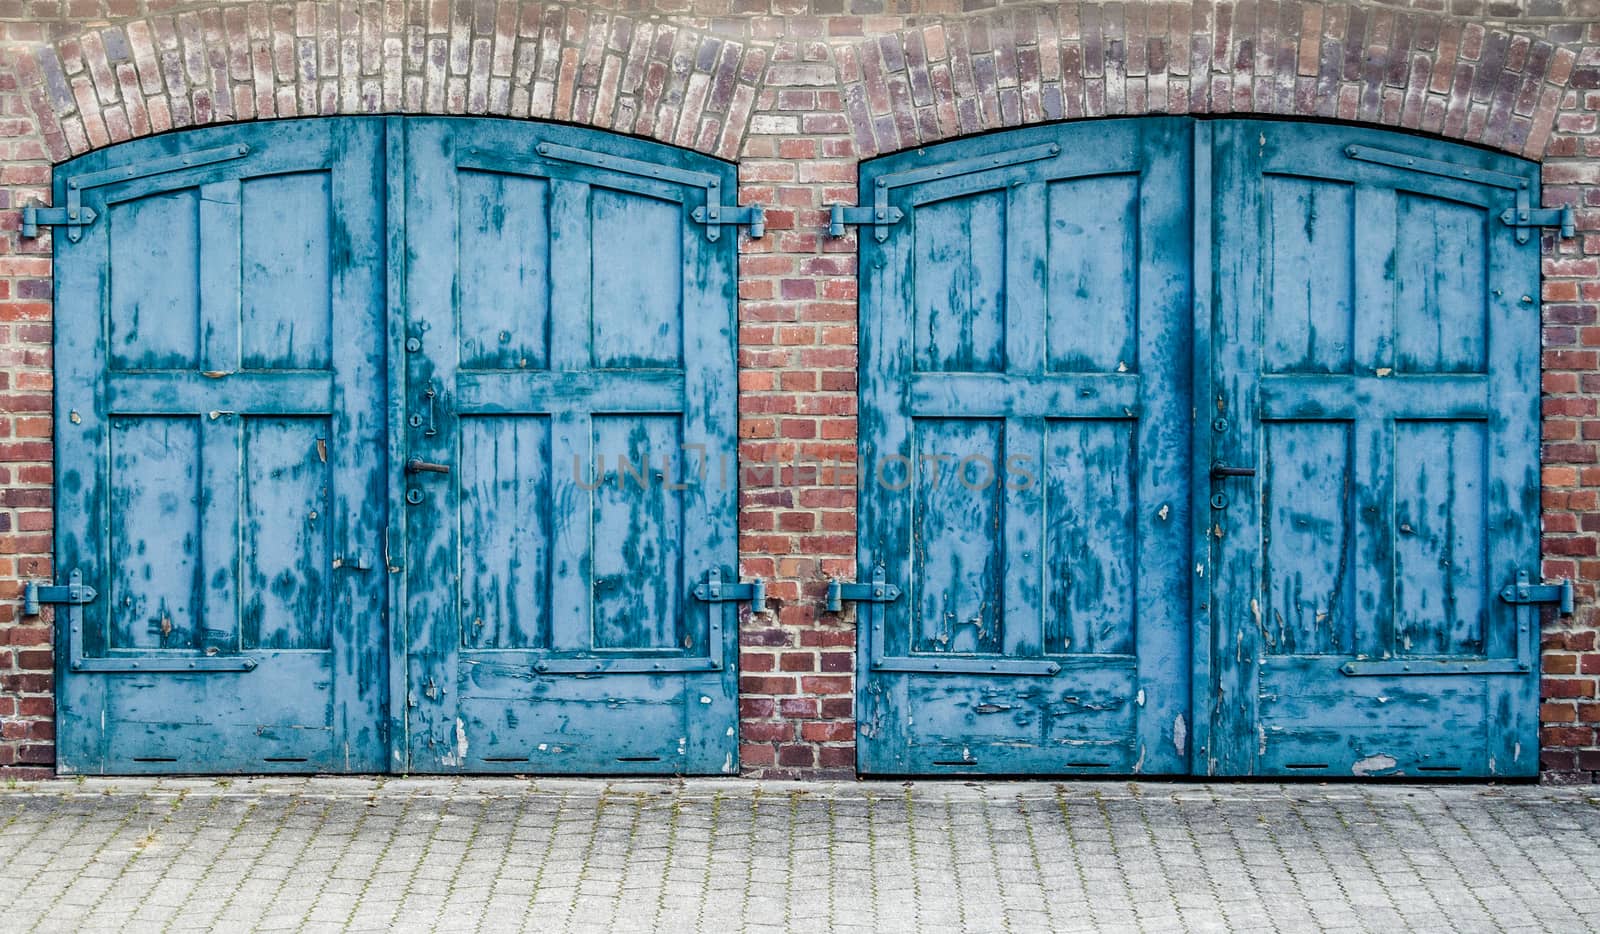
(249, 356)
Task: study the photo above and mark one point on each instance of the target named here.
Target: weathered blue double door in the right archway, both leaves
(1321, 343)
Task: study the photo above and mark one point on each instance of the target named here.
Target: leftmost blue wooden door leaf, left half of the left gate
(220, 450)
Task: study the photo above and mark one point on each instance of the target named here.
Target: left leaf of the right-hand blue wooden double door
(1026, 468)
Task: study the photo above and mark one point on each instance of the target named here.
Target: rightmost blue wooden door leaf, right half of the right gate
(1377, 362)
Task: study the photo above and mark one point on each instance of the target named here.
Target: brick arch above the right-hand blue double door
(1329, 60)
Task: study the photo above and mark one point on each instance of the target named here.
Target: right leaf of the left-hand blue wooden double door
(570, 362)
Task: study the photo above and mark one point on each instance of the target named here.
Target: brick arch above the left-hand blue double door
(631, 74)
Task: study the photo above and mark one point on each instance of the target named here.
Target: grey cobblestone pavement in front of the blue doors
(442, 855)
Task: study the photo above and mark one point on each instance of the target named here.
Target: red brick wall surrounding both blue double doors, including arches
(798, 92)
